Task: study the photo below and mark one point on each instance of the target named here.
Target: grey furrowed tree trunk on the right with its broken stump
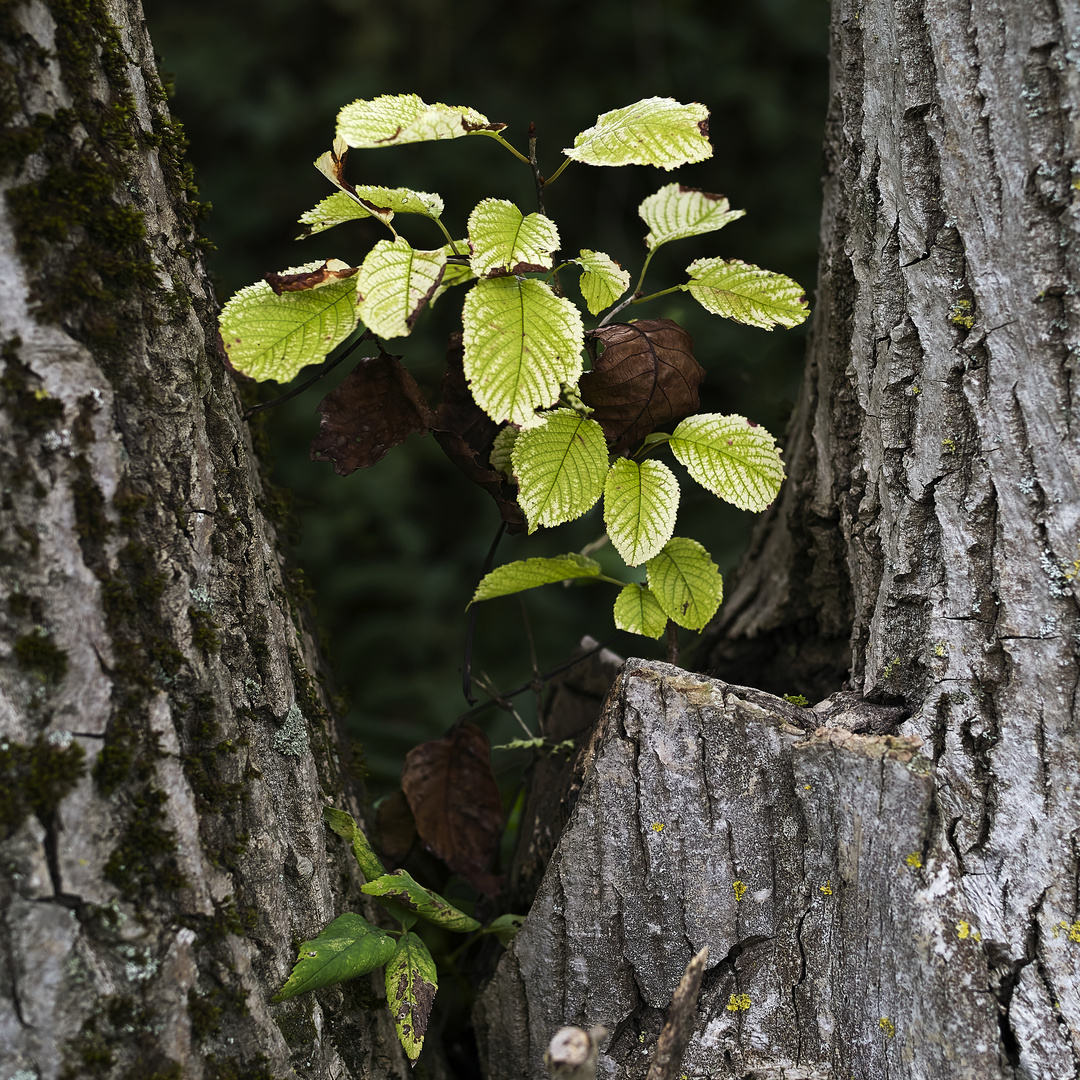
(879, 900)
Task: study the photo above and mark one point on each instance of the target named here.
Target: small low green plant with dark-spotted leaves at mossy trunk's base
(350, 947)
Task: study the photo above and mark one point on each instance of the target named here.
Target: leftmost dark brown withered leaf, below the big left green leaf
(376, 407)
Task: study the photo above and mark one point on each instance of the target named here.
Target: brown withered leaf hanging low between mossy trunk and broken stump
(456, 803)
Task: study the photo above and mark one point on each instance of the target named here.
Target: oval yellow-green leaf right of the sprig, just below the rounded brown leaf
(736, 461)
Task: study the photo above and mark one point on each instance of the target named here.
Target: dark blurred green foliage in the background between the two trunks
(394, 553)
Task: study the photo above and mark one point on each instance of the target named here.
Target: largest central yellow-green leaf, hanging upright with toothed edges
(521, 343)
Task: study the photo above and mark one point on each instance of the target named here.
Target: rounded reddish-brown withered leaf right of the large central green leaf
(645, 379)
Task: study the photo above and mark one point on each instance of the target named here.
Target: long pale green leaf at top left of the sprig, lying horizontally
(396, 119)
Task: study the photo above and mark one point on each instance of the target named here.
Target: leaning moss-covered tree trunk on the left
(166, 747)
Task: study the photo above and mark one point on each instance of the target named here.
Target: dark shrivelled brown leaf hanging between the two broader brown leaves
(466, 434)
